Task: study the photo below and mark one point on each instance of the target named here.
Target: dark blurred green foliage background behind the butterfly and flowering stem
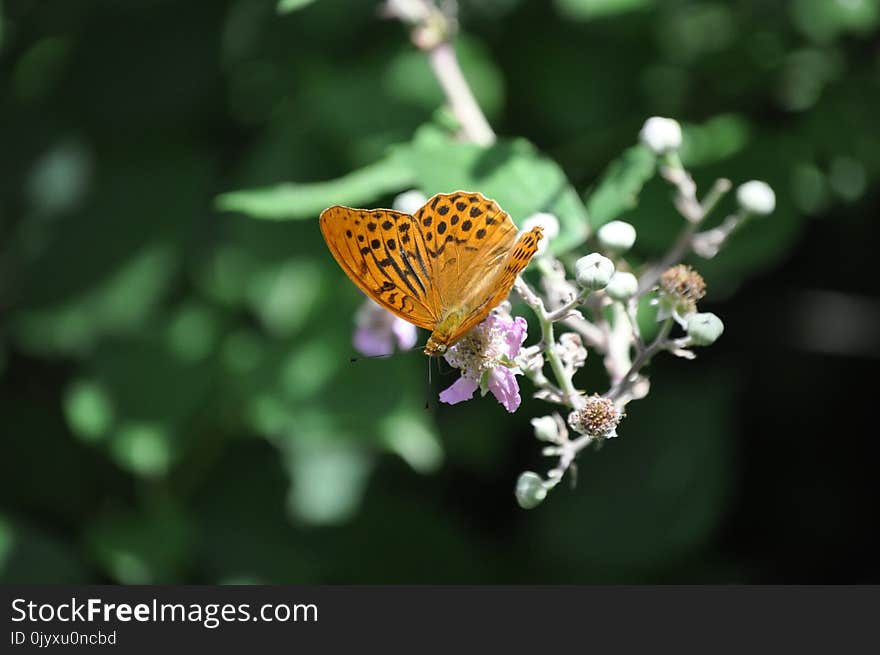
(176, 400)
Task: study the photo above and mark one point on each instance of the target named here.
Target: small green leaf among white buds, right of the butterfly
(618, 190)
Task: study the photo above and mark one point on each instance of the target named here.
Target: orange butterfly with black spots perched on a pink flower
(443, 269)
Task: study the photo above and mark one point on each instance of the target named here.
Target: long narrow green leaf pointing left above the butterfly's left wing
(299, 201)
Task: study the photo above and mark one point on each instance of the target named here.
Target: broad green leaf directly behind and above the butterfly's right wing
(511, 172)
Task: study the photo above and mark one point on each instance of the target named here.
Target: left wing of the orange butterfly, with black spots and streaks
(384, 253)
